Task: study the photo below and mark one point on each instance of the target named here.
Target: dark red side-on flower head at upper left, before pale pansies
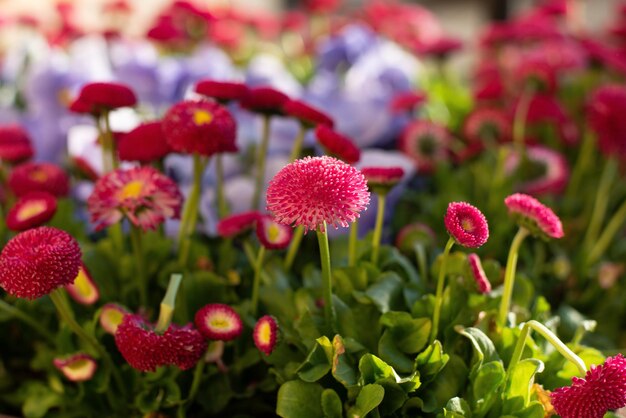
(96, 98)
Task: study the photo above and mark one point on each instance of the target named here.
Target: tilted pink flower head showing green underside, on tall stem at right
(534, 216)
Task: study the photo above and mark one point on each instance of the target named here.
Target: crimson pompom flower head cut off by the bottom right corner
(602, 389)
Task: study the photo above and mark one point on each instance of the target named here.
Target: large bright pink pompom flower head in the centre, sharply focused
(316, 191)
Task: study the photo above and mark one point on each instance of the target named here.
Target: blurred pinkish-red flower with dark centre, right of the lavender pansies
(426, 143)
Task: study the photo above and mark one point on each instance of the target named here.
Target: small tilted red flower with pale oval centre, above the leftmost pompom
(31, 210)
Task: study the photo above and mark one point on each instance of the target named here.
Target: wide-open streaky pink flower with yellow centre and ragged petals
(142, 194)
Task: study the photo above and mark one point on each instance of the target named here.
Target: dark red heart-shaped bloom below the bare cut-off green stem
(145, 350)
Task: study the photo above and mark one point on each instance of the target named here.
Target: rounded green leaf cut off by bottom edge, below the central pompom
(297, 399)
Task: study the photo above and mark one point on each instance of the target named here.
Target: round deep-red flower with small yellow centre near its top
(202, 127)
